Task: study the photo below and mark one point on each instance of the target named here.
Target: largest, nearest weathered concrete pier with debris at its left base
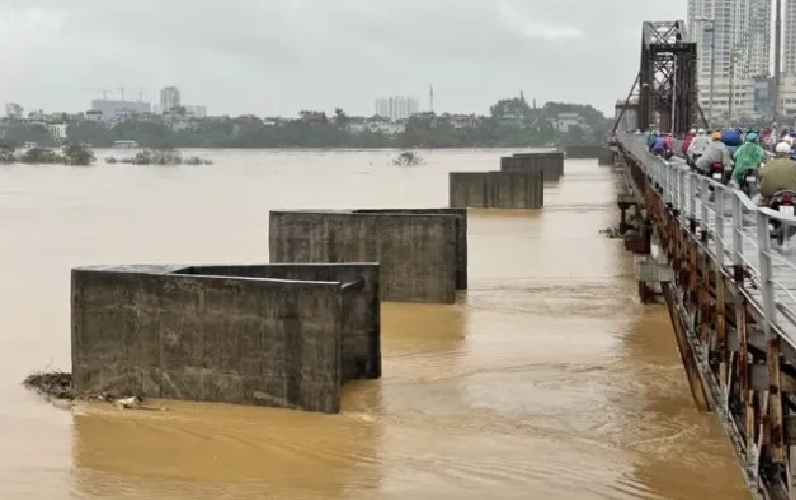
(232, 336)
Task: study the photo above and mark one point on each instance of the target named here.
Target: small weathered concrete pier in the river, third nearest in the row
(523, 189)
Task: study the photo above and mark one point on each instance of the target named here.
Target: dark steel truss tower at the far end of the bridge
(667, 78)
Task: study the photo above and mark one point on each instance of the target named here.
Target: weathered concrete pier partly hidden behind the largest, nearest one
(419, 253)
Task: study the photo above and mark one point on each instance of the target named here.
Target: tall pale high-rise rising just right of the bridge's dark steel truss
(742, 53)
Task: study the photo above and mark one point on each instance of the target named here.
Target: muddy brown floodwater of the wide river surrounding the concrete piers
(547, 380)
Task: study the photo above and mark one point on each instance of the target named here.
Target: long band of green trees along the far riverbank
(511, 124)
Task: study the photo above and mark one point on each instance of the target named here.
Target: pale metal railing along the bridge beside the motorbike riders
(738, 230)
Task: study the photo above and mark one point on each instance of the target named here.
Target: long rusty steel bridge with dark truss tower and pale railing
(706, 250)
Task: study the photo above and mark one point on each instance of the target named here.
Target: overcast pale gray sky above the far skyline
(280, 56)
